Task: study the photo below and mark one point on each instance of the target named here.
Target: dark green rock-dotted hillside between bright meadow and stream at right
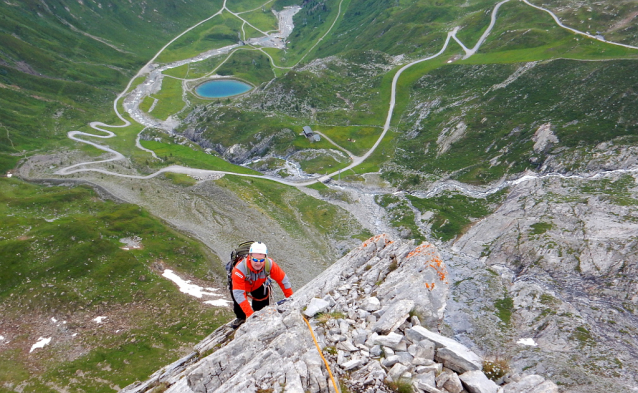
(581, 100)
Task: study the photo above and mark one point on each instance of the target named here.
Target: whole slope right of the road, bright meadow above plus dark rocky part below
(501, 122)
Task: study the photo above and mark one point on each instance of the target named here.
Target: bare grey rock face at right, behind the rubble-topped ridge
(564, 252)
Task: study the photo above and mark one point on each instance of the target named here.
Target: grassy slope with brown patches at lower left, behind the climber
(60, 262)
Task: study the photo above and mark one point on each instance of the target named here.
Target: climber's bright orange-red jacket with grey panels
(246, 279)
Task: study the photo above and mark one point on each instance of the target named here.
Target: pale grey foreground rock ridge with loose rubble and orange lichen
(368, 336)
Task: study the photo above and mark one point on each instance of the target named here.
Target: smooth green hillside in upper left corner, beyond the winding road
(62, 62)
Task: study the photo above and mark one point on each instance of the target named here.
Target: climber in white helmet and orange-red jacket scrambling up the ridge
(251, 277)
